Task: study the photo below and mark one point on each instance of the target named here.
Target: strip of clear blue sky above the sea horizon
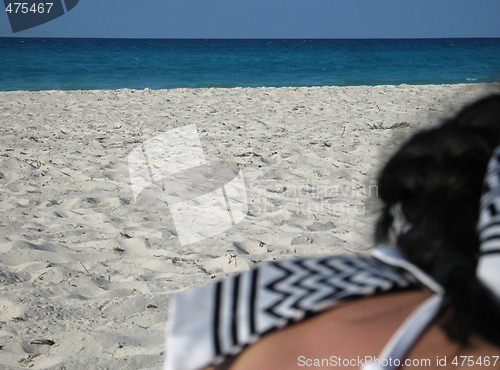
(271, 19)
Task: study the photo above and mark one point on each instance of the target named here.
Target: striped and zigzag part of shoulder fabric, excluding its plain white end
(274, 295)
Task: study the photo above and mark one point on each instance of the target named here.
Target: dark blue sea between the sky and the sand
(66, 64)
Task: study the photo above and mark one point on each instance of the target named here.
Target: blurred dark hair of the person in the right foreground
(436, 178)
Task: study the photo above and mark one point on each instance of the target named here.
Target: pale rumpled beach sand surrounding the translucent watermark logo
(87, 270)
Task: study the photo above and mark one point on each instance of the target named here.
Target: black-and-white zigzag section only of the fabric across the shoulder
(309, 284)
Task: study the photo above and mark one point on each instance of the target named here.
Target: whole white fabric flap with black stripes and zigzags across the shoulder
(211, 323)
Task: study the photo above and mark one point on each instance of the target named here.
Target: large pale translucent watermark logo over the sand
(204, 198)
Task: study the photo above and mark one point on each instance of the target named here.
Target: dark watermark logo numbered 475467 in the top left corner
(28, 14)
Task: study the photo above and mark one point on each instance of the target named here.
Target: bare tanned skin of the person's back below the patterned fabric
(358, 329)
